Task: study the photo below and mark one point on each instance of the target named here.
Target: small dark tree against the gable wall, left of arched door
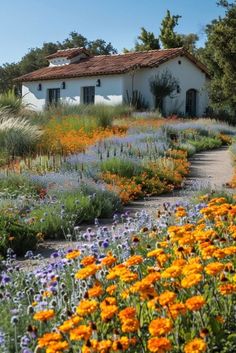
(162, 86)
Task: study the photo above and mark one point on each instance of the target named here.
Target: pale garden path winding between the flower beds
(211, 170)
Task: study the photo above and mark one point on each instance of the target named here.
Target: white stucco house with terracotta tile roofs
(74, 76)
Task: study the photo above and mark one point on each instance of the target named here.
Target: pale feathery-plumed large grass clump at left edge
(17, 136)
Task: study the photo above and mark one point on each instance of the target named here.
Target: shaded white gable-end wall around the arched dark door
(188, 75)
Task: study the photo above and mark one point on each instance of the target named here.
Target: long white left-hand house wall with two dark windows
(110, 92)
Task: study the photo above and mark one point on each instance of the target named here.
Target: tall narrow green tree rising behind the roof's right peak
(168, 37)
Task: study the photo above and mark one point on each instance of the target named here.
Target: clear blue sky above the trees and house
(27, 24)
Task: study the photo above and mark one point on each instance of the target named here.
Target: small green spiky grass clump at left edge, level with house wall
(11, 102)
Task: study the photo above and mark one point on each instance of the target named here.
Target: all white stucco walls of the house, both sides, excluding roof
(113, 89)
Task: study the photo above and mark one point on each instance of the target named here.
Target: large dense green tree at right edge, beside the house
(219, 55)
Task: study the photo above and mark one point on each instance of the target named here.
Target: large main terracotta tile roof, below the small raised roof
(109, 65)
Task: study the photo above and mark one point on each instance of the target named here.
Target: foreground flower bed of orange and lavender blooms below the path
(171, 289)
